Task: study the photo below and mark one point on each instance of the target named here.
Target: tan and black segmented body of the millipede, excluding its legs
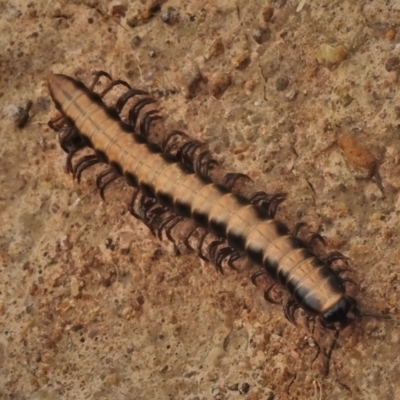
(312, 283)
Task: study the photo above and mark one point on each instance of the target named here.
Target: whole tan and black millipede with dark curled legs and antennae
(172, 183)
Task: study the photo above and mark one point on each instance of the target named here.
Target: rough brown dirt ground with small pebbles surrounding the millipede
(302, 97)
